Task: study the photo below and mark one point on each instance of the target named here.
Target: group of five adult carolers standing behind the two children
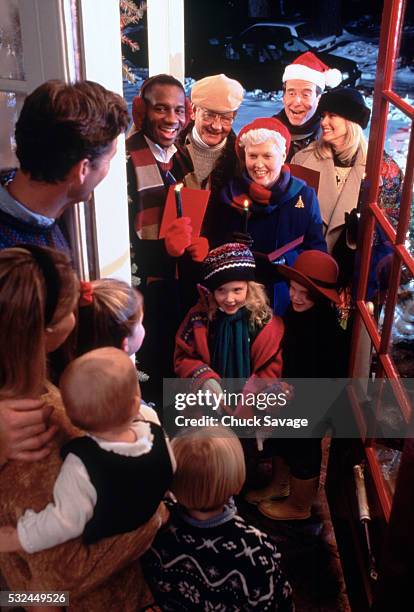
(194, 143)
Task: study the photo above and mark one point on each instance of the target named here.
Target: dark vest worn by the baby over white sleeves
(129, 489)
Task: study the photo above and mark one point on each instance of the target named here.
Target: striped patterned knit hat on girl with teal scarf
(227, 263)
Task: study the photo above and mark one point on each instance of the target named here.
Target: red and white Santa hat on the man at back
(307, 67)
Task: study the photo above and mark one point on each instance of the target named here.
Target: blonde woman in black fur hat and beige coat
(340, 157)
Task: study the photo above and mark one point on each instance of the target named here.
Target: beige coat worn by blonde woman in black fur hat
(333, 205)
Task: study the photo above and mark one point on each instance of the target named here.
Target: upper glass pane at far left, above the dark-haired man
(11, 51)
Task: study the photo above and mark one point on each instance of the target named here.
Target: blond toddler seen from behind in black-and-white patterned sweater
(207, 557)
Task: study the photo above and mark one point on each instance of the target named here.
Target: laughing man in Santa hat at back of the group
(303, 83)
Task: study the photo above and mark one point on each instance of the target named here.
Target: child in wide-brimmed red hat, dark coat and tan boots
(312, 348)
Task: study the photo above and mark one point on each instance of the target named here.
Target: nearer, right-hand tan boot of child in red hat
(297, 506)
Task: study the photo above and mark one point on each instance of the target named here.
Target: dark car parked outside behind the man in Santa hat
(258, 56)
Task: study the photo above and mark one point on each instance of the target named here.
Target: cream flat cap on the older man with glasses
(217, 93)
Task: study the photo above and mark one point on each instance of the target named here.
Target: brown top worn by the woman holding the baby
(105, 576)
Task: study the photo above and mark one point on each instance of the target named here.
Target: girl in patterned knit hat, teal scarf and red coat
(231, 332)
